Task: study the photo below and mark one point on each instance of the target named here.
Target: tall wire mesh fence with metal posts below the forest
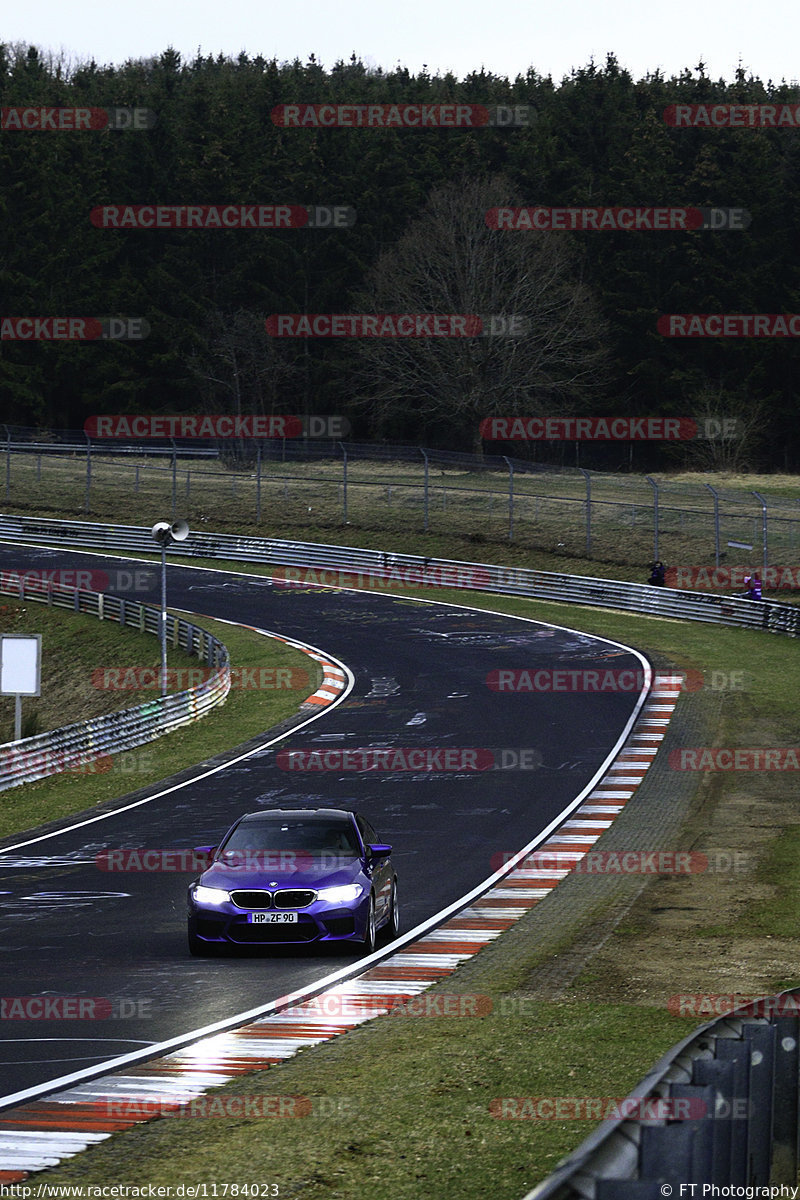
(618, 518)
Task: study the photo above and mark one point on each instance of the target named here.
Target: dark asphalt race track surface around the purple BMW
(70, 929)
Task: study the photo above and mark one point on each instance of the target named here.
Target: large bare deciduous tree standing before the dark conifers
(449, 261)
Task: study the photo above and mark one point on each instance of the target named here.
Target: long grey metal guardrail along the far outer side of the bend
(412, 572)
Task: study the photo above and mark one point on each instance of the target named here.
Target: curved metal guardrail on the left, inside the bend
(77, 747)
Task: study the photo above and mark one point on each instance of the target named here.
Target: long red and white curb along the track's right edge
(41, 1135)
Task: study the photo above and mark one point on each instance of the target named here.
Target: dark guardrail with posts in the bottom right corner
(720, 1109)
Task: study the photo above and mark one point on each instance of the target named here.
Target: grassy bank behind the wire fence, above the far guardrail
(388, 500)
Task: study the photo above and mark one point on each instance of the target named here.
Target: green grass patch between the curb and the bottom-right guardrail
(404, 1108)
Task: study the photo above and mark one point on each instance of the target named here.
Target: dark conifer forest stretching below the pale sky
(599, 137)
